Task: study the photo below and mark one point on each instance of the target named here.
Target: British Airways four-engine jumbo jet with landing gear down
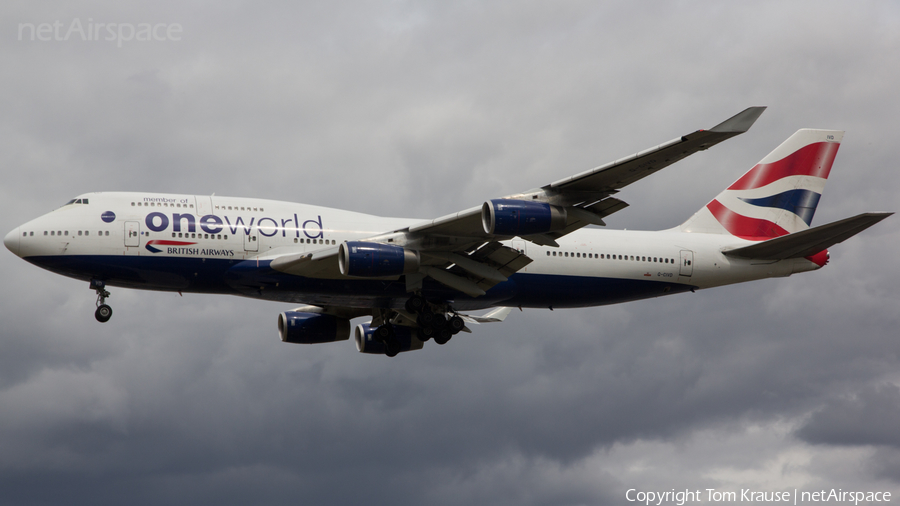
(417, 279)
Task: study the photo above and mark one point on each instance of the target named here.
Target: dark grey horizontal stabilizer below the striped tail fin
(810, 241)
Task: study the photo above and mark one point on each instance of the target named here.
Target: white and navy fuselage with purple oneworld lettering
(200, 243)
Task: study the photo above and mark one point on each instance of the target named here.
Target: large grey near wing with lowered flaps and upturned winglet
(463, 250)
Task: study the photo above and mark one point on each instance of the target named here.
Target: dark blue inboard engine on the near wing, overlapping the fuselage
(372, 259)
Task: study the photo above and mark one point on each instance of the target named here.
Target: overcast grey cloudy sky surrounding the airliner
(421, 109)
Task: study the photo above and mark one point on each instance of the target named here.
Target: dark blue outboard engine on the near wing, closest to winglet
(521, 217)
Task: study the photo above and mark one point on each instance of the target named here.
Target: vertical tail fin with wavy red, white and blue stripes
(778, 196)
